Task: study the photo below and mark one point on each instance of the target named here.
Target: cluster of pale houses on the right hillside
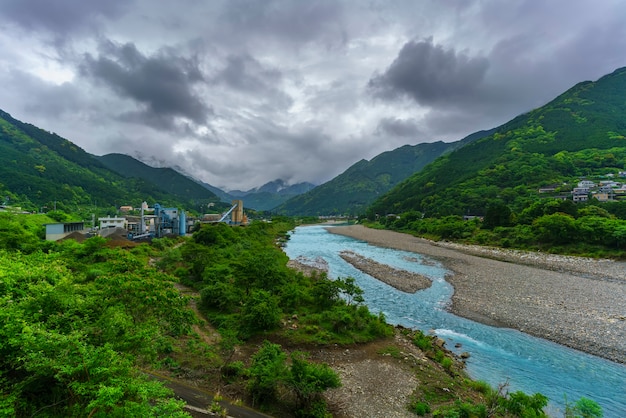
(602, 190)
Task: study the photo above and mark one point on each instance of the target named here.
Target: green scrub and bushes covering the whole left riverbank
(79, 320)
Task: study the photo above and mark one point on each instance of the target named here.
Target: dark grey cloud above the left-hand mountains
(163, 83)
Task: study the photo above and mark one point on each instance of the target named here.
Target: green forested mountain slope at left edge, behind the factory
(40, 169)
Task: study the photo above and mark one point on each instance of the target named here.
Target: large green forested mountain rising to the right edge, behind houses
(580, 133)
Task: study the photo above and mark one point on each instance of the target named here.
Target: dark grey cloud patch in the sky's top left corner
(59, 16)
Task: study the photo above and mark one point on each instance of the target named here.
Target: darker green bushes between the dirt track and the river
(247, 289)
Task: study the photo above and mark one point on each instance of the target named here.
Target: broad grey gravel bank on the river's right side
(574, 301)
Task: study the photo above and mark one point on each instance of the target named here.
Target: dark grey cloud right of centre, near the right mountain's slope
(430, 74)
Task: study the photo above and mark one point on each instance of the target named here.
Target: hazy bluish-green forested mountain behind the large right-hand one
(352, 191)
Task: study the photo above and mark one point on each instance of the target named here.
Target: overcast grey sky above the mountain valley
(241, 92)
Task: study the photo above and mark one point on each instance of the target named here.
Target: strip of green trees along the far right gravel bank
(549, 225)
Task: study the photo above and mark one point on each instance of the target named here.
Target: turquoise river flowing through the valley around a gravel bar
(498, 355)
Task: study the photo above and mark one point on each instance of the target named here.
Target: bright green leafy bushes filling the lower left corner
(76, 321)
